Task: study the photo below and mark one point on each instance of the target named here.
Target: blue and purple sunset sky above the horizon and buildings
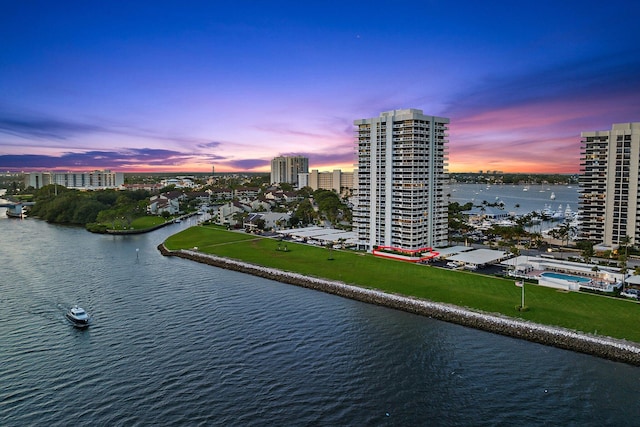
(187, 86)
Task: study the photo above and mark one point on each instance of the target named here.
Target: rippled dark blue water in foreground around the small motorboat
(179, 343)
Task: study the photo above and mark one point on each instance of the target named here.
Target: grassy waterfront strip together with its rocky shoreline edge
(573, 321)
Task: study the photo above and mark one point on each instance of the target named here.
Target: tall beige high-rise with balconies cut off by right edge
(609, 198)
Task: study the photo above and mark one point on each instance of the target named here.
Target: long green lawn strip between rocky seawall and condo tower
(572, 310)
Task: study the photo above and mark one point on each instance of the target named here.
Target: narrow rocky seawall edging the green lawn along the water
(604, 347)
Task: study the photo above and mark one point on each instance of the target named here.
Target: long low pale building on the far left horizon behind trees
(94, 180)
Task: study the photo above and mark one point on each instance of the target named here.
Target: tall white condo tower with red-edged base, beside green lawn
(402, 168)
